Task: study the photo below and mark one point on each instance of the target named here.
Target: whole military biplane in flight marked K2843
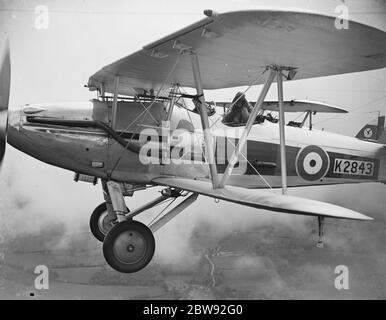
(140, 133)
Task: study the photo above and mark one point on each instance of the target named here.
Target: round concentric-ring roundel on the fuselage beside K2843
(312, 163)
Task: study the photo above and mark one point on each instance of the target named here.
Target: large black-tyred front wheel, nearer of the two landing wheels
(129, 246)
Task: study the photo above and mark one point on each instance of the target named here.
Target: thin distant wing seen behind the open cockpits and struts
(294, 106)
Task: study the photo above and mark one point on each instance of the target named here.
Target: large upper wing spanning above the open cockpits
(234, 48)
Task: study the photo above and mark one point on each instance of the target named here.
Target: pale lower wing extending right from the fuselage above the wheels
(263, 199)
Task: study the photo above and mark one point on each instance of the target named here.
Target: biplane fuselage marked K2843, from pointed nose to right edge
(313, 157)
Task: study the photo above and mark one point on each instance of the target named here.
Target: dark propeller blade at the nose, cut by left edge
(5, 83)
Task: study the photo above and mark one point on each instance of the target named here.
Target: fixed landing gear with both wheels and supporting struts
(128, 245)
